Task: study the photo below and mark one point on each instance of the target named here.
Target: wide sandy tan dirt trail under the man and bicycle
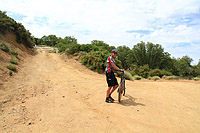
(51, 93)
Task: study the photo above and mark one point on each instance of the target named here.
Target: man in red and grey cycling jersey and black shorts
(110, 77)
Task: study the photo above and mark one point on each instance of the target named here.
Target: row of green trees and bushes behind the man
(144, 59)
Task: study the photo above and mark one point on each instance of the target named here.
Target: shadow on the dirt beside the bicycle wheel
(130, 101)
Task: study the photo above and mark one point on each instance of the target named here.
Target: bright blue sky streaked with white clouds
(175, 24)
